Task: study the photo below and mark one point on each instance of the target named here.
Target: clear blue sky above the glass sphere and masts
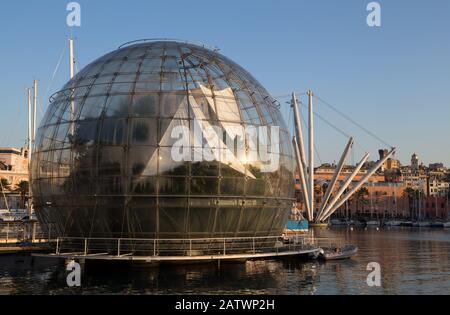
(394, 79)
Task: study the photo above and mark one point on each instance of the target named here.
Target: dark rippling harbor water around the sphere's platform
(413, 261)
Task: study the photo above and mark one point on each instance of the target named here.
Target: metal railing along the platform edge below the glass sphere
(121, 247)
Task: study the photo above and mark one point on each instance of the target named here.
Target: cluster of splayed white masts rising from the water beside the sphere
(330, 204)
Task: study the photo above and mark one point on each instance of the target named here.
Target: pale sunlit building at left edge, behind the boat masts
(14, 166)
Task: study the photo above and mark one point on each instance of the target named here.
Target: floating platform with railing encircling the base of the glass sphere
(155, 251)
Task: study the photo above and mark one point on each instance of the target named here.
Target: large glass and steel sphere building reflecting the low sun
(104, 164)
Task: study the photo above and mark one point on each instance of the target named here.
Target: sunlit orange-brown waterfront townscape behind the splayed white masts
(393, 192)
